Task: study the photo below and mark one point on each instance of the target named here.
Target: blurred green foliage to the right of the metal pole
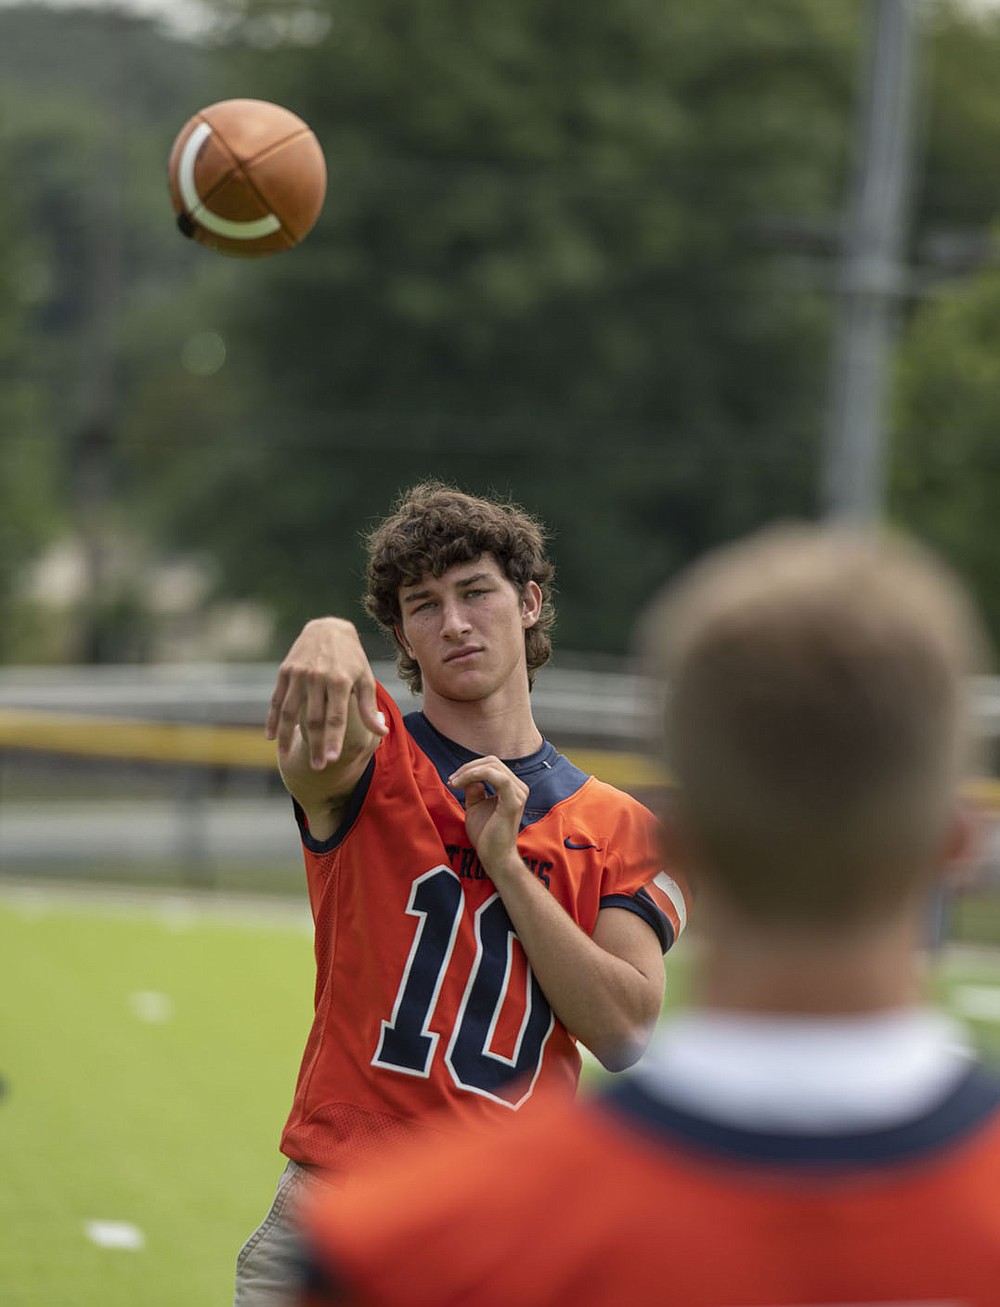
(946, 440)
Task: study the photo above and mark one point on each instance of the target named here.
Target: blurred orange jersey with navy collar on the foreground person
(629, 1200)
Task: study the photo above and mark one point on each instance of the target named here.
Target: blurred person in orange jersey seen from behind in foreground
(808, 1131)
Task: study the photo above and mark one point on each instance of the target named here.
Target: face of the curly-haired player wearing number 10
(466, 629)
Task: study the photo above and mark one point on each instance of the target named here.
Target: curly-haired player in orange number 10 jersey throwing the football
(480, 904)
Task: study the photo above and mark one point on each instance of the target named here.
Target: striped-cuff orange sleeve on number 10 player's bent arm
(639, 882)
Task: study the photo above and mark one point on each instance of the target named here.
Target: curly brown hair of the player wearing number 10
(433, 527)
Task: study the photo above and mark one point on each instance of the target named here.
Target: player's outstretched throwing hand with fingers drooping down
(324, 670)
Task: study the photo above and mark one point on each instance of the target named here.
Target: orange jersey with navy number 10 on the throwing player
(424, 1001)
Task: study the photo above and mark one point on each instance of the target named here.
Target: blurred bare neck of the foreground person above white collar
(811, 976)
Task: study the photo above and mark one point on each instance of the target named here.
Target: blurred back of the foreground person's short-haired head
(816, 722)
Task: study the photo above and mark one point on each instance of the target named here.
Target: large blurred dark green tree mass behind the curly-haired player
(537, 274)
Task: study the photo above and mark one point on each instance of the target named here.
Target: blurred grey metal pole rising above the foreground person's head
(873, 278)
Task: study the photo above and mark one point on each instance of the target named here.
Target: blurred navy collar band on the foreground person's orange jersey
(969, 1105)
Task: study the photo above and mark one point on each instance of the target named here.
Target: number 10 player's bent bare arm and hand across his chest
(606, 989)
